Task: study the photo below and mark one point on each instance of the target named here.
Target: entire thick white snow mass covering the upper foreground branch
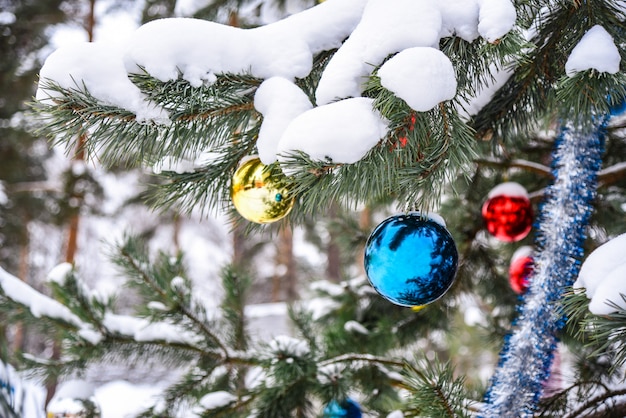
(279, 52)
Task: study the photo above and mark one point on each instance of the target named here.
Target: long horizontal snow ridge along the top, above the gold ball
(199, 49)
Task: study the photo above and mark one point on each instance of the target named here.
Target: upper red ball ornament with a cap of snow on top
(507, 212)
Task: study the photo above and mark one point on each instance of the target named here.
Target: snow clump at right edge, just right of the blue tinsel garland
(602, 276)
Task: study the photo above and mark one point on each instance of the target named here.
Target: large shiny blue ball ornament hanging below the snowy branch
(411, 259)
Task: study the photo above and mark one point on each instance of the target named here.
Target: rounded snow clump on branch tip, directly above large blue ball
(421, 76)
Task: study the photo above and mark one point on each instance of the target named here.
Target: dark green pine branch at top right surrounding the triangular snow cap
(538, 88)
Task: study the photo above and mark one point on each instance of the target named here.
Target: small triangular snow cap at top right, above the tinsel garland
(596, 50)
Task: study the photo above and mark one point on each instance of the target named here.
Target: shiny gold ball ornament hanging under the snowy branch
(258, 194)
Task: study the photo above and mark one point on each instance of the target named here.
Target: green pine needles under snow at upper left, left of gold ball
(201, 119)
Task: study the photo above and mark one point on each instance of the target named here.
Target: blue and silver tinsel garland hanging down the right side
(527, 354)
